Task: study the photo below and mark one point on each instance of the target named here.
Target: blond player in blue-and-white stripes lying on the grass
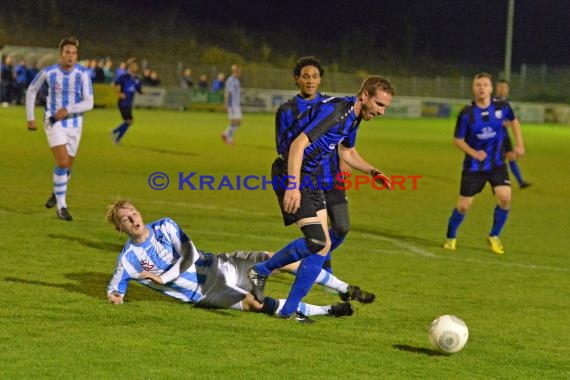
(161, 256)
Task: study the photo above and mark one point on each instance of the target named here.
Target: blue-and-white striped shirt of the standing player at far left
(71, 89)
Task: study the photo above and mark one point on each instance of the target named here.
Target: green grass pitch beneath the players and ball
(56, 323)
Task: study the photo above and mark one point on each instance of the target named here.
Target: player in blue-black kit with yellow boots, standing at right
(479, 133)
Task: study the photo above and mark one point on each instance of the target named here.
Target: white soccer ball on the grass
(448, 334)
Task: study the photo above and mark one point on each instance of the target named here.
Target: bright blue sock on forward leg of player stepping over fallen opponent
(307, 273)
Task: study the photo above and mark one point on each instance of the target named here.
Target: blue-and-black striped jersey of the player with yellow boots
(482, 129)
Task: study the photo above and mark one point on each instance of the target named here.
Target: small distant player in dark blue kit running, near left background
(126, 86)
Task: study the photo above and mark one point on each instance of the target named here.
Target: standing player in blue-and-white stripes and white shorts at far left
(69, 95)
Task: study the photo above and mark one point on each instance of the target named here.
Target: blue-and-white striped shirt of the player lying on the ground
(161, 254)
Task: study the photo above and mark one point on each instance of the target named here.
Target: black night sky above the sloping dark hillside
(444, 29)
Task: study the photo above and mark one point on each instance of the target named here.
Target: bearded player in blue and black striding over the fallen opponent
(302, 149)
